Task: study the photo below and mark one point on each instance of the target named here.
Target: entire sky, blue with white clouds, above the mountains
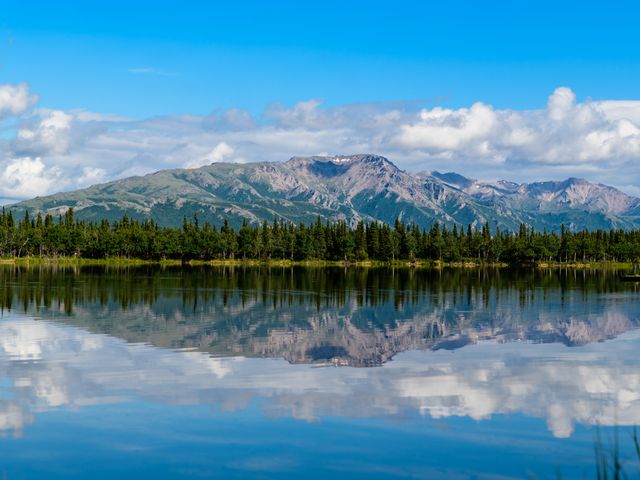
(521, 90)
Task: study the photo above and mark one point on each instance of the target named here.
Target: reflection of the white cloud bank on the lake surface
(49, 366)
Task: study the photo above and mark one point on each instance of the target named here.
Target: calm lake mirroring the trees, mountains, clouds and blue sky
(314, 373)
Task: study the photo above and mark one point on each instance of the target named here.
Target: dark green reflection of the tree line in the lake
(172, 290)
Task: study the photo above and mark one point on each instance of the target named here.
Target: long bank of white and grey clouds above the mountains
(597, 140)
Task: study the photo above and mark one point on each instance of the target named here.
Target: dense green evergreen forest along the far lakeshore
(65, 236)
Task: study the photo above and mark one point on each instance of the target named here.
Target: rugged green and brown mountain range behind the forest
(351, 188)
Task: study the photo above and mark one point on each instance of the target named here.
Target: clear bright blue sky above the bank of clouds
(202, 56)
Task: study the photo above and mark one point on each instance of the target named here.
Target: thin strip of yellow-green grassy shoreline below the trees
(432, 264)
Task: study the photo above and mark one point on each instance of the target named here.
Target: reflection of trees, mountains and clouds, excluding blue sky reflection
(89, 336)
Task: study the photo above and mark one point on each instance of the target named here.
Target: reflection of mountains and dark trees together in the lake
(357, 317)
